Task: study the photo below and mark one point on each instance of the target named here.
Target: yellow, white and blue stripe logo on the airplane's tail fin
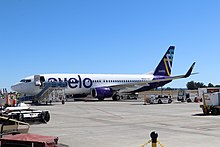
(168, 59)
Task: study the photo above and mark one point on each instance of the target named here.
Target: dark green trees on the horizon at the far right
(195, 85)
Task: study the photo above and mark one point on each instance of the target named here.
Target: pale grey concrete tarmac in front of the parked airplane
(129, 124)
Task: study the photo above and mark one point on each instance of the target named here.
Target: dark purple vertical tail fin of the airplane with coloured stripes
(165, 65)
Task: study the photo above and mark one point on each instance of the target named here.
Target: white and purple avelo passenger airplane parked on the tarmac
(103, 86)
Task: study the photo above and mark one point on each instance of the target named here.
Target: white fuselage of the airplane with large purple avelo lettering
(83, 83)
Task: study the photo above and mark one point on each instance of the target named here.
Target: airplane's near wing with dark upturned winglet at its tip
(136, 85)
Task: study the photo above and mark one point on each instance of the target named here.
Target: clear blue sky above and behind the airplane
(110, 36)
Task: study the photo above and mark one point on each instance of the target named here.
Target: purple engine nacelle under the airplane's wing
(102, 92)
